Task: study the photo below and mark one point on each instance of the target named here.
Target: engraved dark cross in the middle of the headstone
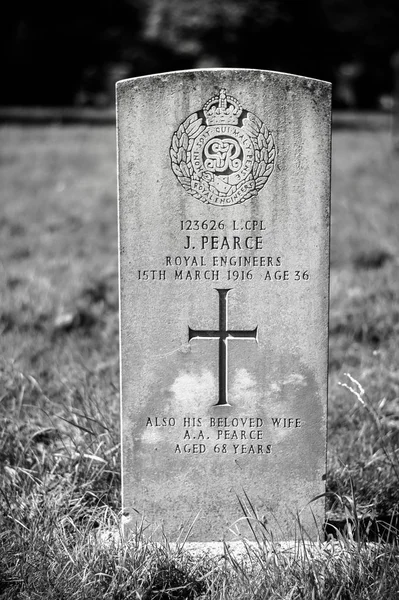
(223, 334)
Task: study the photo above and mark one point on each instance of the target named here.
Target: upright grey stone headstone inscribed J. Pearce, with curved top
(224, 190)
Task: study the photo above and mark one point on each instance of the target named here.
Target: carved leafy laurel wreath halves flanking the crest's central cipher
(183, 140)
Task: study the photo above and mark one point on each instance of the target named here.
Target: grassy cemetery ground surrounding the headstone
(59, 397)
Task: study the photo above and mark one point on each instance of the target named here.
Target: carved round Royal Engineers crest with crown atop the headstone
(222, 154)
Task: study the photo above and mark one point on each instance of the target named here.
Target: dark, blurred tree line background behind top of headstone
(72, 53)
